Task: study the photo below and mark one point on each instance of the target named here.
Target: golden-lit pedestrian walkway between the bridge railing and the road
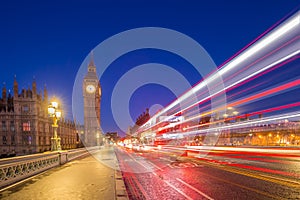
(86, 178)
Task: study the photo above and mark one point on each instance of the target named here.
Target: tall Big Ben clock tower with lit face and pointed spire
(91, 101)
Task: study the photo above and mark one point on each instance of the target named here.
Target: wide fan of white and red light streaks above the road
(245, 81)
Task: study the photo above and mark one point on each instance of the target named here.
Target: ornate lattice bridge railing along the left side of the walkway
(16, 169)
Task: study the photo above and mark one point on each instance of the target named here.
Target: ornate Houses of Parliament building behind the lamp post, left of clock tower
(25, 127)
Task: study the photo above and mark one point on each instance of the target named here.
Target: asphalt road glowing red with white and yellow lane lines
(168, 174)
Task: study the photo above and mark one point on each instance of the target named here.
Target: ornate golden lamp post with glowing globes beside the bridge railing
(55, 114)
